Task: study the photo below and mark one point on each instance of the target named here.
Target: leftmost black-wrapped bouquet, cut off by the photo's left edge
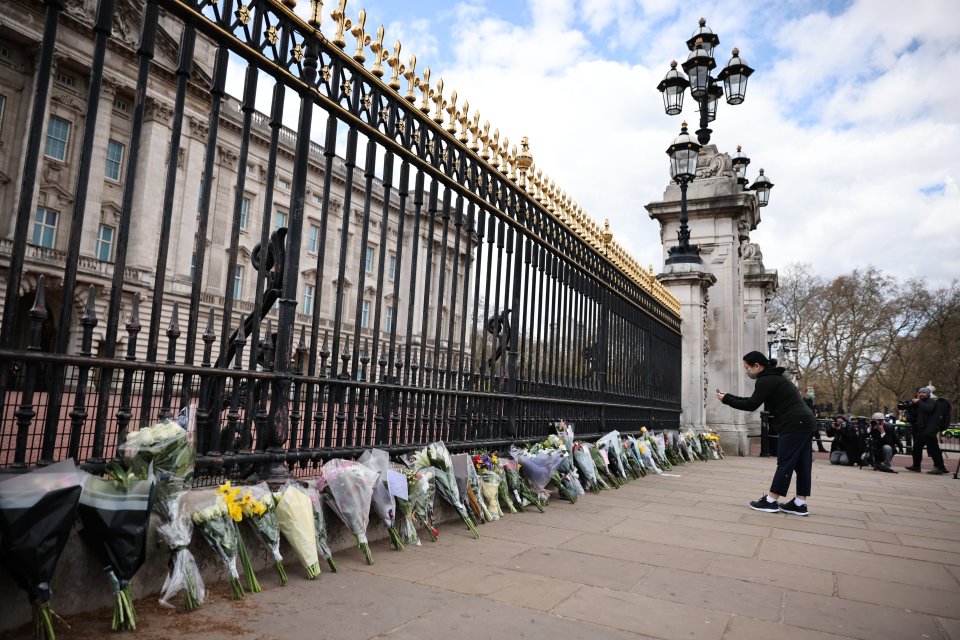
(37, 510)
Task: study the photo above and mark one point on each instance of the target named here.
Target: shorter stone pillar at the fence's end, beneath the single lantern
(689, 284)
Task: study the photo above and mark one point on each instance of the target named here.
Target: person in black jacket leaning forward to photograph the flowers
(795, 423)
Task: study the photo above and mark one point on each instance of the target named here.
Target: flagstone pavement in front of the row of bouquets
(672, 556)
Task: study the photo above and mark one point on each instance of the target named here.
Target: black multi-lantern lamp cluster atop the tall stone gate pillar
(703, 87)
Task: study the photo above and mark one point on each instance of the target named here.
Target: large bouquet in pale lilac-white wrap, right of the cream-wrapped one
(348, 488)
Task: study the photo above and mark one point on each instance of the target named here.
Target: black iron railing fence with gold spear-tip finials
(385, 272)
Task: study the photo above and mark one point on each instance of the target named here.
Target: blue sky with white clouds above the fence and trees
(852, 111)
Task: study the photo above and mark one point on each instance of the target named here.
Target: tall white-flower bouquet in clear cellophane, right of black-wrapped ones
(166, 449)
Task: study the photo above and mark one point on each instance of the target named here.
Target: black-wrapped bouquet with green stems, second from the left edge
(114, 515)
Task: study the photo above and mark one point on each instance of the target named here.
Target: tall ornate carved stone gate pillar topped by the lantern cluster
(733, 320)
